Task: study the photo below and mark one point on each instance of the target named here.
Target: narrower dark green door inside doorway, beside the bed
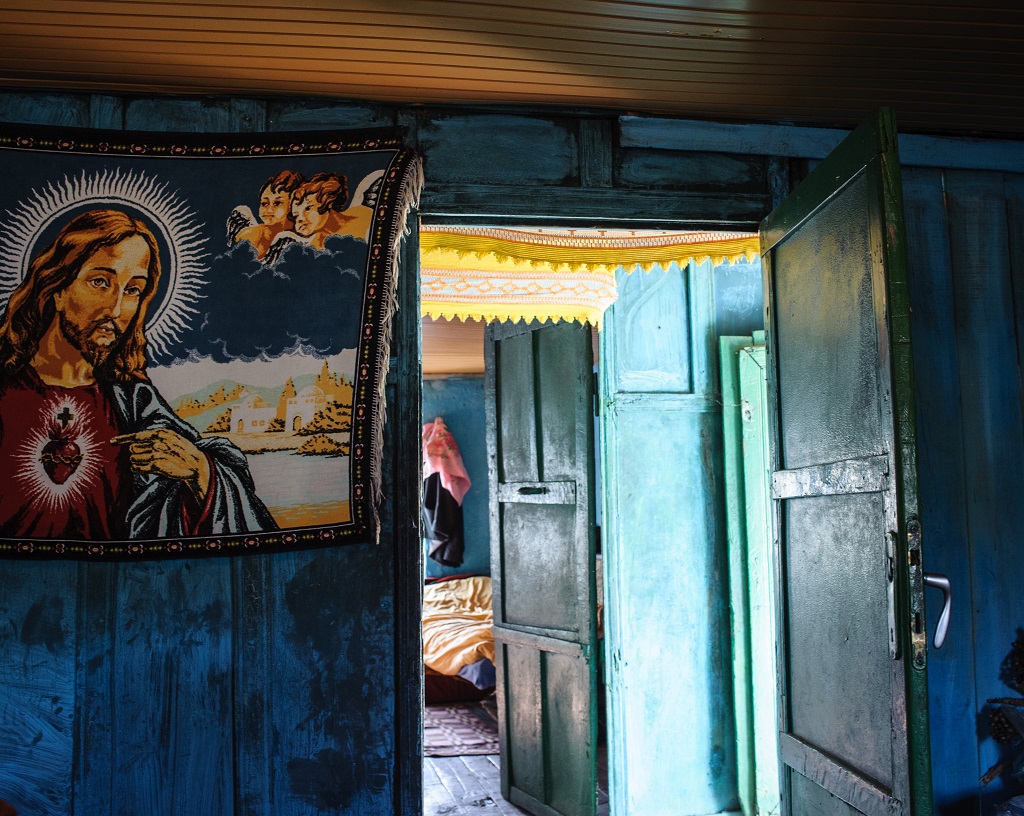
(541, 452)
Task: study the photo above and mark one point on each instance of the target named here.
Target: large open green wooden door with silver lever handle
(852, 656)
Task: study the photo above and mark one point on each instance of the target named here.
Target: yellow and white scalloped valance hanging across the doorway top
(511, 275)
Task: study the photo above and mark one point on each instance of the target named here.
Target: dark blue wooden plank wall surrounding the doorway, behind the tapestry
(290, 684)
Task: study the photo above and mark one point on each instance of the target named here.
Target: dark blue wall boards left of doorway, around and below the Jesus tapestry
(214, 688)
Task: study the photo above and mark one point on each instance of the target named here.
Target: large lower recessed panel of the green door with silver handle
(849, 718)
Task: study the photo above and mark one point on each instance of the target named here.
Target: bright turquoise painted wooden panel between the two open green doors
(667, 648)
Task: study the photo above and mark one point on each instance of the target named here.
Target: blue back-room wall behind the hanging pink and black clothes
(460, 402)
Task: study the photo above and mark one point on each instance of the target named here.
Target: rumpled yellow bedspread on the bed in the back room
(457, 624)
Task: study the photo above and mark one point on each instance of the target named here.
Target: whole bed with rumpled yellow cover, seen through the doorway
(458, 639)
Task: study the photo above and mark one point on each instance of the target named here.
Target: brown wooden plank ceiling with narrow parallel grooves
(945, 68)
